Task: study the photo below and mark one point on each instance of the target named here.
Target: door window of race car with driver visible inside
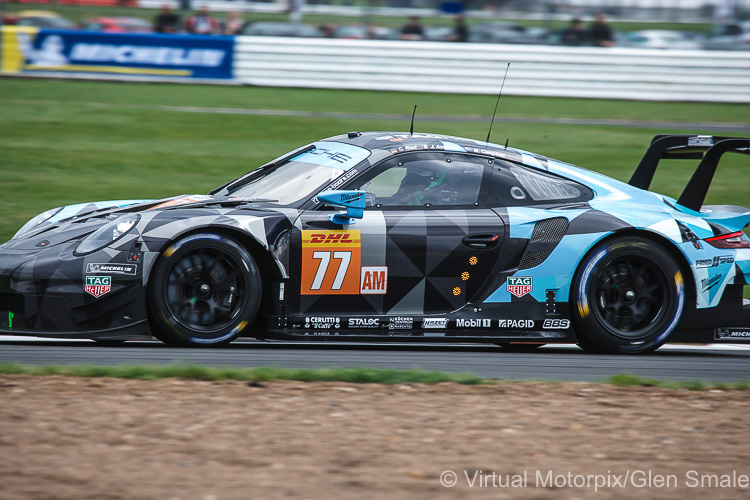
(426, 179)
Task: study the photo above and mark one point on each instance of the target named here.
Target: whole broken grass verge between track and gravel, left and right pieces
(333, 374)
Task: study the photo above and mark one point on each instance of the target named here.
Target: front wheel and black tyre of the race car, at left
(204, 291)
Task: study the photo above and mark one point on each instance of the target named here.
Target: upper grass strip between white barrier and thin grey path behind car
(110, 95)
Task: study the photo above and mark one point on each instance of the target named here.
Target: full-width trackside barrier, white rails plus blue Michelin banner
(536, 70)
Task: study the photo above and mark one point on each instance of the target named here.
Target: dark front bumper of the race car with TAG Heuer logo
(48, 292)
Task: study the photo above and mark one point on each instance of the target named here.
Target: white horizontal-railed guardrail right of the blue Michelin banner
(536, 70)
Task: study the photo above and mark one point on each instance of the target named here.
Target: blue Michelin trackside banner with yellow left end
(173, 56)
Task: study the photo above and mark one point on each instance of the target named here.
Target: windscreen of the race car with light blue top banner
(302, 175)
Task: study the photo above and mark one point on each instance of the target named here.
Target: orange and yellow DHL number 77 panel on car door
(331, 262)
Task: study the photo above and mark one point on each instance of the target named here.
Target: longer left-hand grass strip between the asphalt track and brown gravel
(261, 374)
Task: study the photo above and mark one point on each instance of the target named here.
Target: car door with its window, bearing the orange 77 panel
(425, 245)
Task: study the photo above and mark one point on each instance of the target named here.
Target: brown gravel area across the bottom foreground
(101, 438)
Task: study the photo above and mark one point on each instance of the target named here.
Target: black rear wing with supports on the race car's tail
(706, 148)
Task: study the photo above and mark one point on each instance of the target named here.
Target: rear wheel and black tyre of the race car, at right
(627, 297)
